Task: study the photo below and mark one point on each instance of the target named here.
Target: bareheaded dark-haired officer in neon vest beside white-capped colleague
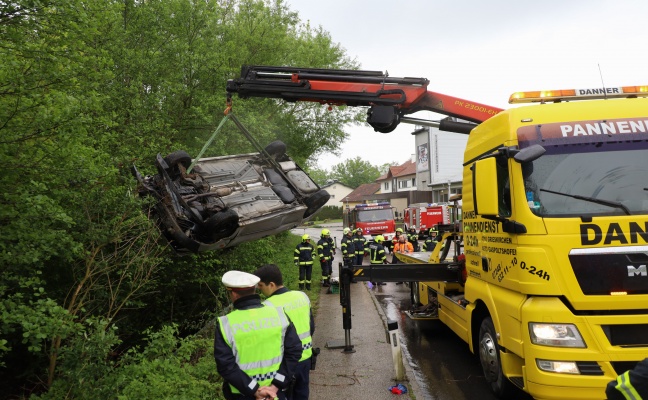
(298, 308)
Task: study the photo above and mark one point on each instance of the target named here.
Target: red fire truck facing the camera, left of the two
(374, 219)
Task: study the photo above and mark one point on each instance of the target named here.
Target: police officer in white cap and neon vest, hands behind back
(258, 361)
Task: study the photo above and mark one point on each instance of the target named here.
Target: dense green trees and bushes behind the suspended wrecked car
(93, 303)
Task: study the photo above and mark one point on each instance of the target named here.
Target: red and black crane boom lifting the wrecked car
(388, 98)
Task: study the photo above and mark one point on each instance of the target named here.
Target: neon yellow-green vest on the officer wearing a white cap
(256, 337)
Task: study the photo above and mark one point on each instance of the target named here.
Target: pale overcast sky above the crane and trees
(482, 51)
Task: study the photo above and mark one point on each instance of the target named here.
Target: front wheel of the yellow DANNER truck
(489, 355)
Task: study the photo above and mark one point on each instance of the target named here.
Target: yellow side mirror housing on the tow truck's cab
(485, 188)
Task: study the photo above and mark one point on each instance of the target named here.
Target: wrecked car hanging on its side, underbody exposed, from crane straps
(218, 202)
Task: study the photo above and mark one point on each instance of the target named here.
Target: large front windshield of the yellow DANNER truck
(589, 180)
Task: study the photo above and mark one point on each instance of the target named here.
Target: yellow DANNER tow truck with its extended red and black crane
(545, 276)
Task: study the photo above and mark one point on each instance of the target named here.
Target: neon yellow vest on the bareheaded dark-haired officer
(297, 305)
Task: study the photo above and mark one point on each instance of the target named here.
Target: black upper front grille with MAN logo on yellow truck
(612, 269)
